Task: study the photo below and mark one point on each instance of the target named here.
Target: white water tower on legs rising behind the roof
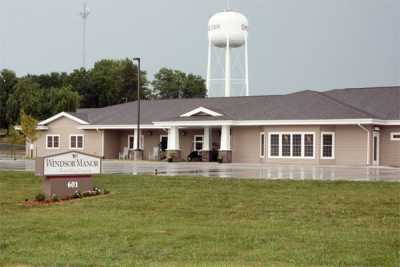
(228, 30)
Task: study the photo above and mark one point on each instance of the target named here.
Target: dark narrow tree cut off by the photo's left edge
(8, 81)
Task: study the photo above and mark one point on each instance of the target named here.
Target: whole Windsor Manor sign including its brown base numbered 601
(66, 173)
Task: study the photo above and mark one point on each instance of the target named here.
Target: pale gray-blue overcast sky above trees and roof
(293, 44)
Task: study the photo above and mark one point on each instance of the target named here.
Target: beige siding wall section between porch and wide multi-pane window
(245, 144)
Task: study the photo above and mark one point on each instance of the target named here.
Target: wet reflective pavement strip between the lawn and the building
(236, 170)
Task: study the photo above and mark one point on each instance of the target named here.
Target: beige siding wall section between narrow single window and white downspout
(351, 145)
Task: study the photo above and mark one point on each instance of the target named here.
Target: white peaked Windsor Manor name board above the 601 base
(71, 163)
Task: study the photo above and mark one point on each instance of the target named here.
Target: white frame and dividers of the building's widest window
(303, 134)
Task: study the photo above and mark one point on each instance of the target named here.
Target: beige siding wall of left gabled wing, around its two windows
(66, 127)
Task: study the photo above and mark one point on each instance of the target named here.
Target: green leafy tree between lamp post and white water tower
(169, 83)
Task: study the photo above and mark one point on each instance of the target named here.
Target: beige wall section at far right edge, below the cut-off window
(389, 150)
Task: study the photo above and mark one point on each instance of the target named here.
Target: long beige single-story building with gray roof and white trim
(346, 126)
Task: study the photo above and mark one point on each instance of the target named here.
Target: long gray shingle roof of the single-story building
(374, 103)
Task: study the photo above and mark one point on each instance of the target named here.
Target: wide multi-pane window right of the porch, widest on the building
(291, 145)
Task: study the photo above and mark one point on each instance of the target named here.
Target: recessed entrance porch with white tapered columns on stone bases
(206, 144)
